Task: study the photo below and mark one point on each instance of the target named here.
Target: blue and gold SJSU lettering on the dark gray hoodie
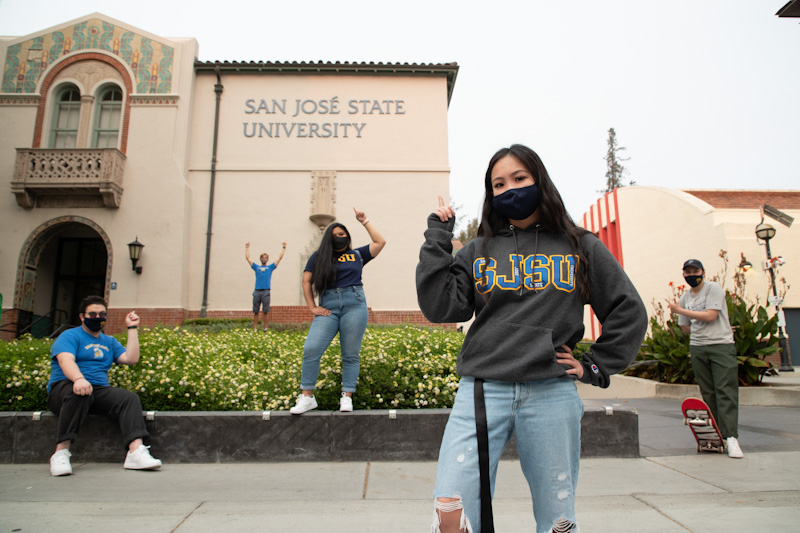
(532, 271)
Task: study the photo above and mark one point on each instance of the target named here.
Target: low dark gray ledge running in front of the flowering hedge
(229, 437)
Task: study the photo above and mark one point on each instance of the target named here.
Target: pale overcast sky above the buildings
(702, 93)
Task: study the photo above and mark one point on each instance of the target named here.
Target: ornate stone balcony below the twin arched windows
(68, 177)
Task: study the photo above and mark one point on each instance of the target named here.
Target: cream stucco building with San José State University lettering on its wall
(111, 134)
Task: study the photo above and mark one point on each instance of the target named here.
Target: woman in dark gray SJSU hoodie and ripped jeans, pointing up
(526, 278)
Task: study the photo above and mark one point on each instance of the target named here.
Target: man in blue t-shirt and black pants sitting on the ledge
(80, 360)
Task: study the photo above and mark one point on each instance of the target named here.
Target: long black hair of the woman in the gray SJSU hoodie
(553, 215)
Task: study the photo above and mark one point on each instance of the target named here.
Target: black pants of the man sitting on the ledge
(117, 404)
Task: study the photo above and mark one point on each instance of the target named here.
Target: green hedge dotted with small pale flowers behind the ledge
(403, 367)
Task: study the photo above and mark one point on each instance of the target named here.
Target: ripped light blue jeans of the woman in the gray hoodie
(545, 418)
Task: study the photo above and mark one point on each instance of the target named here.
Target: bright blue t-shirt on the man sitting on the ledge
(93, 355)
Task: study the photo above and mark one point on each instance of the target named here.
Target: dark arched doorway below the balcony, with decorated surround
(61, 262)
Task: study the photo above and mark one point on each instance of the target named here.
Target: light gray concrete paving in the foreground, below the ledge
(671, 489)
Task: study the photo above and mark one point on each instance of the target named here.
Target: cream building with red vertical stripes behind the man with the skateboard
(653, 230)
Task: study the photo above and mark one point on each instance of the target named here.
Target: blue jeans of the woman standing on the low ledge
(348, 318)
